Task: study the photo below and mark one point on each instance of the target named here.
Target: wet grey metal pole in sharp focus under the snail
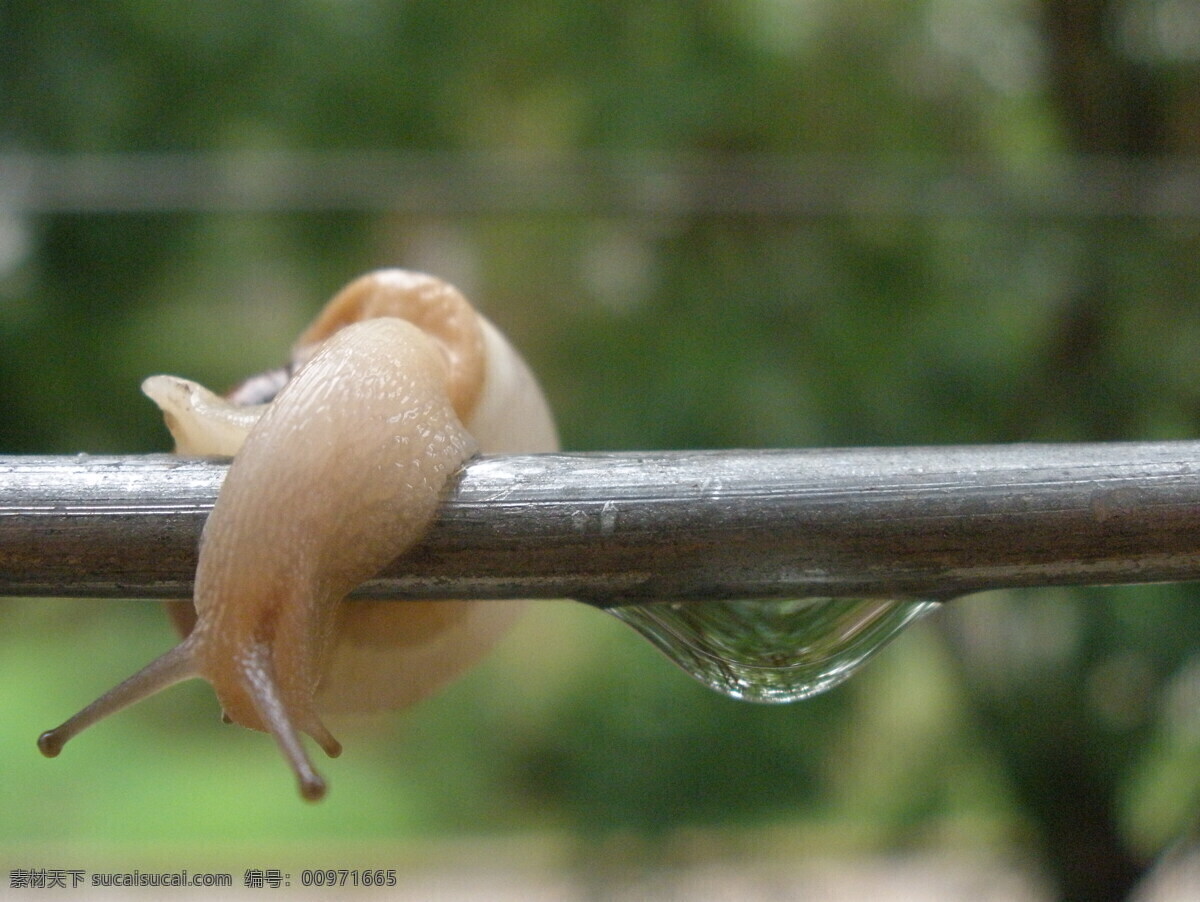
(619, 528)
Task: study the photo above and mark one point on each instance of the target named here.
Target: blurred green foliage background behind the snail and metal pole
(707, 225)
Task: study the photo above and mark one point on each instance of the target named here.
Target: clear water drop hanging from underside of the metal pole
(773, 651)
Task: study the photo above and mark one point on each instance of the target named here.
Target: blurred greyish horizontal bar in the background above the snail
(610, 184)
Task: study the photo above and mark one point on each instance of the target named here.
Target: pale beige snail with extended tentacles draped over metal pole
(338, 467)
